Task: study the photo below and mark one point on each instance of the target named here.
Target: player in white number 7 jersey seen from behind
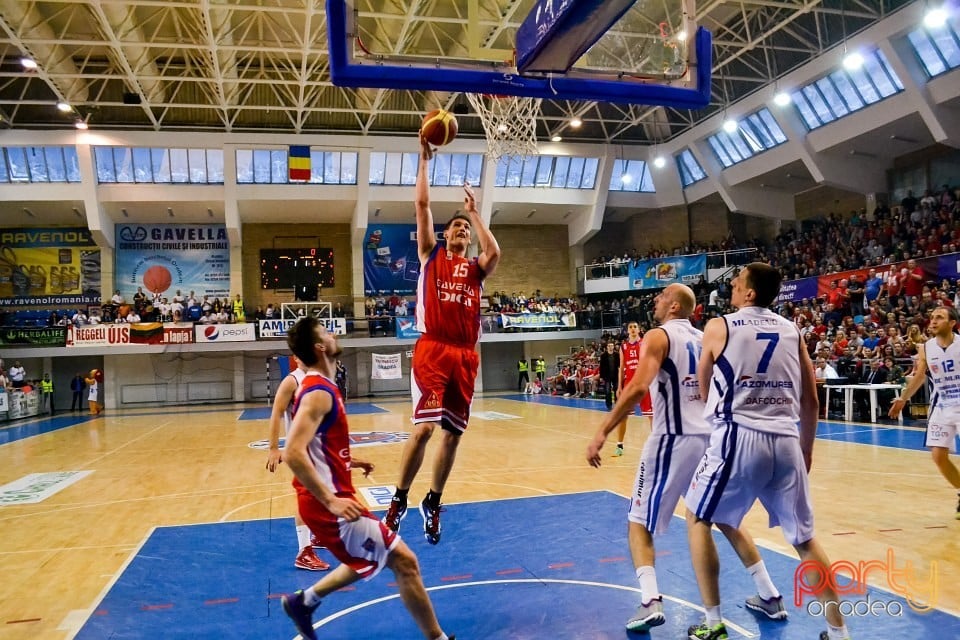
(761, 384)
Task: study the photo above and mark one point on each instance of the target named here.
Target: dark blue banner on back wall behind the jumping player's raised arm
(391, 262)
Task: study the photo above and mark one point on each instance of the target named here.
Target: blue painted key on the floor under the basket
(530, 568)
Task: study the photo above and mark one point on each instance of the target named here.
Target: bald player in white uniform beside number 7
(667, 369)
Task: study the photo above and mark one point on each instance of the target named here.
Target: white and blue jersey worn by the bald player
(676, 390)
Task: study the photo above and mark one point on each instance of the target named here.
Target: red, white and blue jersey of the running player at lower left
(330, 448)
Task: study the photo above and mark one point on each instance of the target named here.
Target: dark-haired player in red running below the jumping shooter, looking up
(318, 452)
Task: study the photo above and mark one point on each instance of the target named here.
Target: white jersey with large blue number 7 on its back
(756, 379)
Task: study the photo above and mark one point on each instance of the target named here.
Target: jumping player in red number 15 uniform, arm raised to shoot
(445, 359)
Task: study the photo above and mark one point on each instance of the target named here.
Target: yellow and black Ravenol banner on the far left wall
(54, 267)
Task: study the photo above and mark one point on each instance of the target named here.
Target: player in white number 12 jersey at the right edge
(939, 360)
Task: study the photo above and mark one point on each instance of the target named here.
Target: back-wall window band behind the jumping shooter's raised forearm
(445, 170)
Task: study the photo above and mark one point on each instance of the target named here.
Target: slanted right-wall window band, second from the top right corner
(843, 92)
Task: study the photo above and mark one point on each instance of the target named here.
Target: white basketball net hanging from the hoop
(510, 123)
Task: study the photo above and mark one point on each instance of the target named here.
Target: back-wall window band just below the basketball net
(558, 172)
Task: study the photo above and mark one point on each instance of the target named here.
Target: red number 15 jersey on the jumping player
(448, 298)
